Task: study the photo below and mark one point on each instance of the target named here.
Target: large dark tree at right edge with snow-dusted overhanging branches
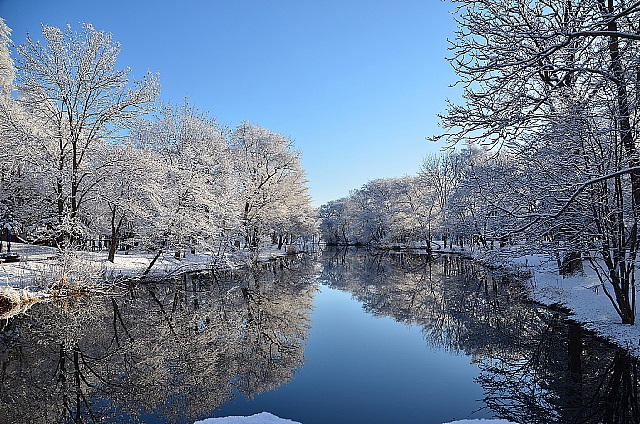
(535, 71)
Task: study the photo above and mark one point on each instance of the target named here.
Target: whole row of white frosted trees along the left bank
(87, 156)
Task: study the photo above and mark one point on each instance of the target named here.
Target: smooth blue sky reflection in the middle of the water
(362, 369)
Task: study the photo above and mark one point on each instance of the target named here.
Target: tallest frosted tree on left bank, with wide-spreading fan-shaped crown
(75, 95)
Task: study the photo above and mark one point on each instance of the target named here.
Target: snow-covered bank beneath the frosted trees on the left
(42, 272)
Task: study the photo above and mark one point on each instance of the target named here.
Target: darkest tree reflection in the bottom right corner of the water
(563, 376)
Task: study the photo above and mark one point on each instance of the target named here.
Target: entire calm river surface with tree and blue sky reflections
(348, 336)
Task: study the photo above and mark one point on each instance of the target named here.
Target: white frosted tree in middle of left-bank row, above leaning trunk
(195, 199)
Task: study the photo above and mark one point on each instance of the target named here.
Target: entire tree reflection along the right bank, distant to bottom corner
(535, 367)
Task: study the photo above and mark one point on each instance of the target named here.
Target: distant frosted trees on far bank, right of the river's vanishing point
(433, 210)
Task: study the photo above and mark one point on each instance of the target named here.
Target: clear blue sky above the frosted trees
(356, 84)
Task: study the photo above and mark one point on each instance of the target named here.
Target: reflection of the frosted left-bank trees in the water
(176, 349)
